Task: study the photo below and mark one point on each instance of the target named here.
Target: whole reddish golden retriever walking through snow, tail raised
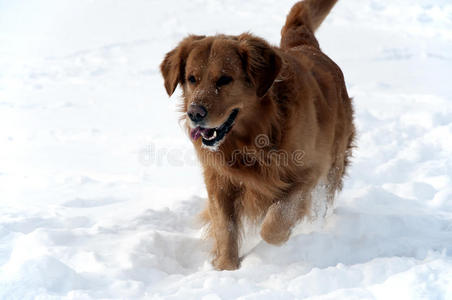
(268, 124)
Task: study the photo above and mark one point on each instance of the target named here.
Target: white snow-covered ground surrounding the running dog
(99, 187)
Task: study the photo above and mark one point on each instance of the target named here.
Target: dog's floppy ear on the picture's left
(173, 66)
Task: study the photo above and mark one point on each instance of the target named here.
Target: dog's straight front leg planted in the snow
(224, 227)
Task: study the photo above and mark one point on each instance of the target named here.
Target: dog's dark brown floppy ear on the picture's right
(260, 61)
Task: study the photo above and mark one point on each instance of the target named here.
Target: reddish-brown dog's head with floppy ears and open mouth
(223, 79)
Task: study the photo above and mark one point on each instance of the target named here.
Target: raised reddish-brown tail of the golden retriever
(303, 20)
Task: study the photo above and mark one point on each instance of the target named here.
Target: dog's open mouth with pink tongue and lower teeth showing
(213, 136)
